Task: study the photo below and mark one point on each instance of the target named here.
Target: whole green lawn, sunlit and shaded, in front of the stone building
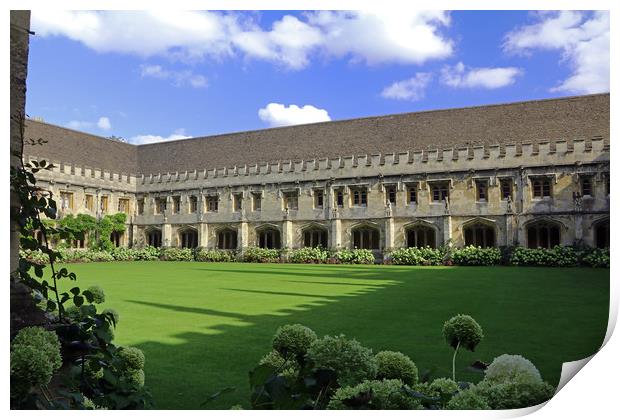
(203, 326)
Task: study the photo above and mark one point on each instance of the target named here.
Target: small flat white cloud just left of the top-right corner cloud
(459, 76)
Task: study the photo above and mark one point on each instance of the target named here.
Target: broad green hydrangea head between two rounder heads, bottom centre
(351, 361)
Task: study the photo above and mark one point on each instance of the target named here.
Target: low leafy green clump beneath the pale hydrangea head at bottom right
(509, 395)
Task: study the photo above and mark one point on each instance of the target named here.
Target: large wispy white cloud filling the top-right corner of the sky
(583, 39)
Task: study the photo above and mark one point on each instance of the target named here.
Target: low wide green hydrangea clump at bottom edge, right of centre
(386, 394)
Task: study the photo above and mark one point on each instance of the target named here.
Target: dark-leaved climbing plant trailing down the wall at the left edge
(85, 334)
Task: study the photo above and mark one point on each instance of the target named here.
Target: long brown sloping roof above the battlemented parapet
(564, 118)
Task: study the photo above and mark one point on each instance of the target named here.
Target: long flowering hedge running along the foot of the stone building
(559, 256)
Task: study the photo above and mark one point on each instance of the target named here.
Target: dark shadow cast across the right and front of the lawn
(544, 317)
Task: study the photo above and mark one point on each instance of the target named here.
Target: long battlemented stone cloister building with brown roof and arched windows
(533, 173)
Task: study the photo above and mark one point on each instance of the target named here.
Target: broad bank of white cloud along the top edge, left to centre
(401, 36)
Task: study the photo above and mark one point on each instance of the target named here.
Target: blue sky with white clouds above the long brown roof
(149, 77)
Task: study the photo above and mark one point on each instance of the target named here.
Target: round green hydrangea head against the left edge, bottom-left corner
(30, 366)
